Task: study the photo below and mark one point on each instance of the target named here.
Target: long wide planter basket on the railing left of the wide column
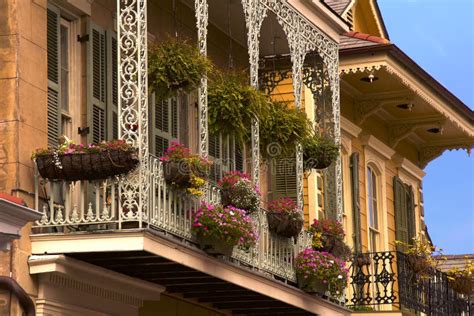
(73, 162)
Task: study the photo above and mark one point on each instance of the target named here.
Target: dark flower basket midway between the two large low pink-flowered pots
(284, 218)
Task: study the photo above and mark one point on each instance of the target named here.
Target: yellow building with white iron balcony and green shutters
(124, 246)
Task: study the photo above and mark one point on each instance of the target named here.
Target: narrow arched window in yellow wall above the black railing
(373, 209)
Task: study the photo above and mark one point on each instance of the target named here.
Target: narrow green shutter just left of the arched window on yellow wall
(354, 167)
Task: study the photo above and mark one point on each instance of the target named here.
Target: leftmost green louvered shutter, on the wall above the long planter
(54, 75)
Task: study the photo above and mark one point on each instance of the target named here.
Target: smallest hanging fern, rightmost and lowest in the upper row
(319, 152)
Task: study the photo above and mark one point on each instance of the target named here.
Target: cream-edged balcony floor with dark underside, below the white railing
(187, 272)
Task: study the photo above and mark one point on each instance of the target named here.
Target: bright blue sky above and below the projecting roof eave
(439, 35)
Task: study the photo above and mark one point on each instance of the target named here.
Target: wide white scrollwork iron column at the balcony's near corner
(133, 103)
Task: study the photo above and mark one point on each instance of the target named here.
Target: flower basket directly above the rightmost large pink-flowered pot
(328, 235)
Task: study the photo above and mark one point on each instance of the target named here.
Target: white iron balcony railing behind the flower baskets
(68, 207)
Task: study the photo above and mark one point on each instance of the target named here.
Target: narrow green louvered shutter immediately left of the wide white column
(112, 87)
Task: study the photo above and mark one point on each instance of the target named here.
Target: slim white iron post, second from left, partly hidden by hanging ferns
(202, 16)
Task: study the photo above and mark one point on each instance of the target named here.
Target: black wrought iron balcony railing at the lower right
(393, 278)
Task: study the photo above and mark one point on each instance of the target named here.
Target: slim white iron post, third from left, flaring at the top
(254, 14)
